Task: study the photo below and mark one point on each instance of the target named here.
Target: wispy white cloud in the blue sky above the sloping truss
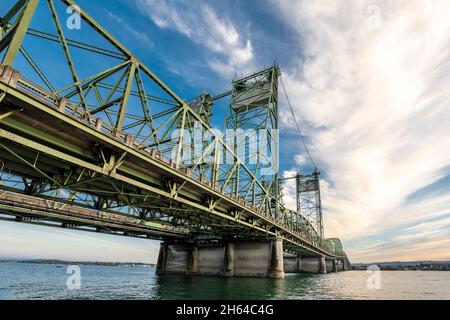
(200, 23)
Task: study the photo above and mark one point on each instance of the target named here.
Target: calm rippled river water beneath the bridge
(41, 281)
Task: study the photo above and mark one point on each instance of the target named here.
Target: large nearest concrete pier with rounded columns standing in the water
(238, 258)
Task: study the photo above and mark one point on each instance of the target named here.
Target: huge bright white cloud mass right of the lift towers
(374, 90)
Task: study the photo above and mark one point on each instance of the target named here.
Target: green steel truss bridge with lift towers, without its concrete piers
(92, 139)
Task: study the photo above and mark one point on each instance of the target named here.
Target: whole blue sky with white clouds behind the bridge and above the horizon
(369, 84)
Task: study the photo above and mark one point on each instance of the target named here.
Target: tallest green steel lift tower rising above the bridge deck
(252, 121)
